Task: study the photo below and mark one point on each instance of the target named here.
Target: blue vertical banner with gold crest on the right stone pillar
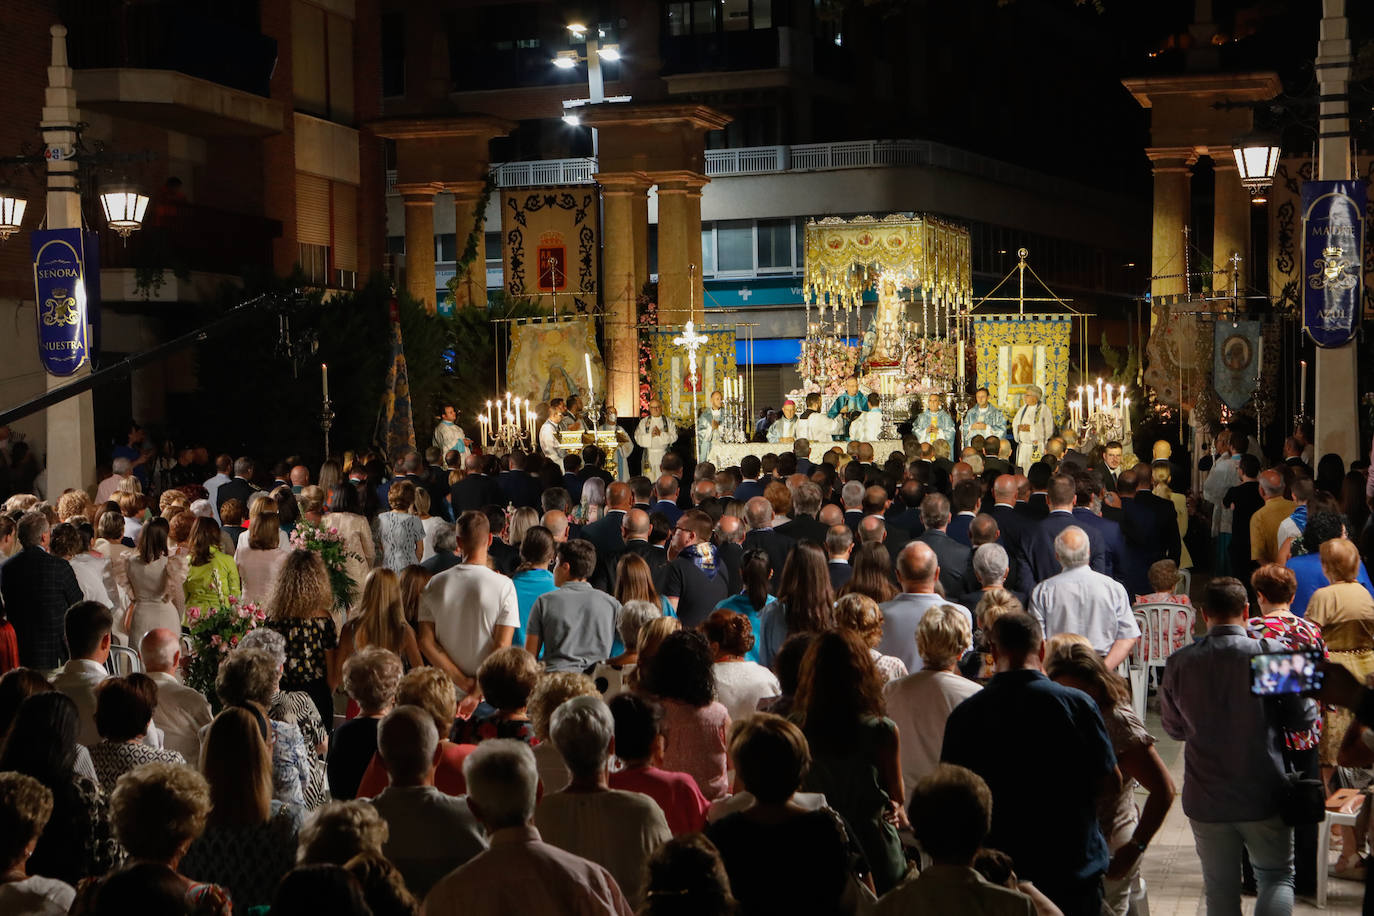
(1333, 248)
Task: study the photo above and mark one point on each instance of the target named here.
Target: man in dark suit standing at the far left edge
(36, 590)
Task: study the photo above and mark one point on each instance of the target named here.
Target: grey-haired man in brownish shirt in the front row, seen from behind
(502, 782)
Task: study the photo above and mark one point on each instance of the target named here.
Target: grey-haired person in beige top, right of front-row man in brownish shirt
(611, 827)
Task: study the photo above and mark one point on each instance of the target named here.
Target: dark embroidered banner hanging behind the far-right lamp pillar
(1288, 268)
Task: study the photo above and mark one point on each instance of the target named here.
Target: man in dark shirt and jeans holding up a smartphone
(1233, 766)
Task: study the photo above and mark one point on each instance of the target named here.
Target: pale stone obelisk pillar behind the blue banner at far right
(1335, 406)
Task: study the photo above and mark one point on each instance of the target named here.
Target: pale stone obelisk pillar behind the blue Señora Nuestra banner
(71, 448)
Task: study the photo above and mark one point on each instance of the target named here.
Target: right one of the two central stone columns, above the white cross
(679, 247)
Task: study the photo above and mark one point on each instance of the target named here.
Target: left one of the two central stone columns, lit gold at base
(622, 198)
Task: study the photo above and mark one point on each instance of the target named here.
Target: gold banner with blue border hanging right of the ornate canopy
(1015, 352)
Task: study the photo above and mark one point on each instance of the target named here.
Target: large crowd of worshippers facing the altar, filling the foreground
(836, 687)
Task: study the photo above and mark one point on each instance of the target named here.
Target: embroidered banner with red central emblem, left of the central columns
(550, 245)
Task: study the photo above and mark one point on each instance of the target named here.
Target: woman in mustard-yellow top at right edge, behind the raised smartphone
(1346, 613)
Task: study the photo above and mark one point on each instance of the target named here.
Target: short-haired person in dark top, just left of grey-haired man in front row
(431, 833)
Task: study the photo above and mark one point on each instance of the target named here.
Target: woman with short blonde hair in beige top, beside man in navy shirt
(920, 704)
